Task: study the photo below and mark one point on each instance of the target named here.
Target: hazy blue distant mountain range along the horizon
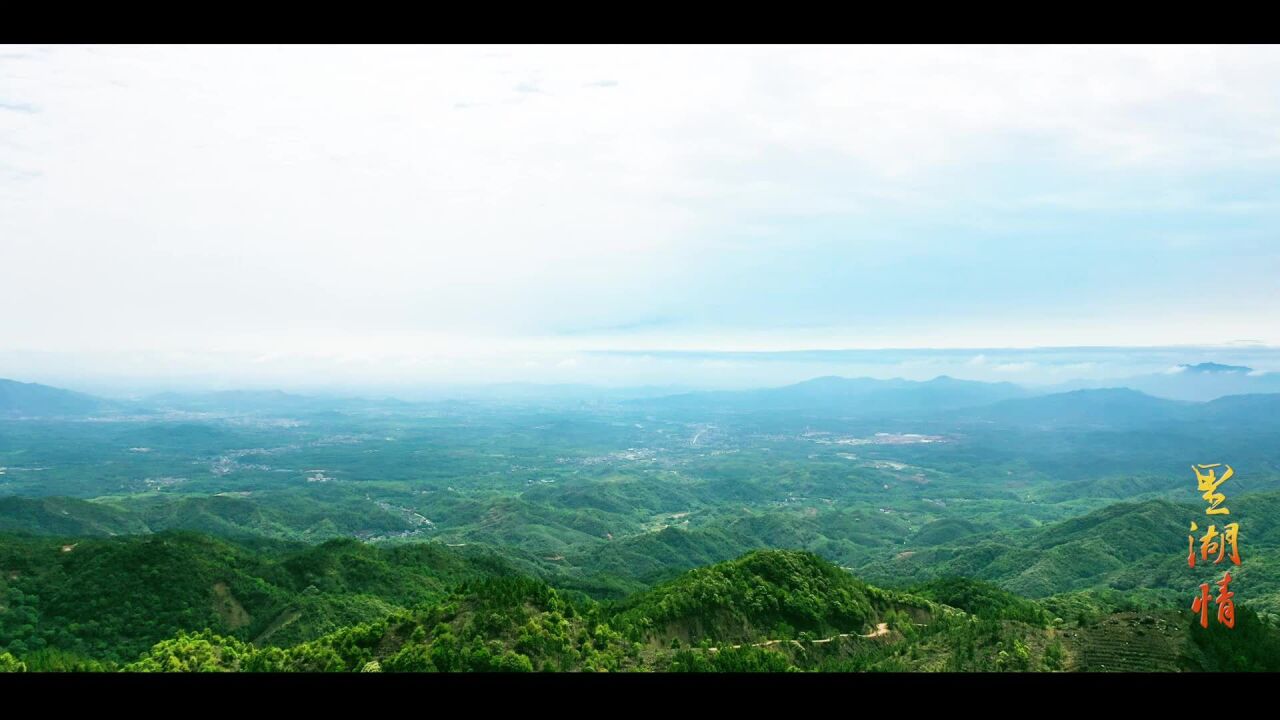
(1195, 393)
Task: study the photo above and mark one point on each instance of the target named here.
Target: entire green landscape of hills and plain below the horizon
(834, 526)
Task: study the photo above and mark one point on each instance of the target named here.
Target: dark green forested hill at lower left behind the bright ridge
(112, 599)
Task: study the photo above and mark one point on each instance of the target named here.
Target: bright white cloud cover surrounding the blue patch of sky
(451, 200)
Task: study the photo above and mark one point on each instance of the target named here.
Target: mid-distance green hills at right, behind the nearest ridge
(1135, 548)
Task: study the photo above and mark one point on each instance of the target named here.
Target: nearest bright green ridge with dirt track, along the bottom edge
(765, 612)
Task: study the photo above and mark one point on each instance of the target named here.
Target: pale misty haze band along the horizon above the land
(619, 371)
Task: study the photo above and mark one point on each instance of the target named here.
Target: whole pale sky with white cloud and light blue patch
(432, 215)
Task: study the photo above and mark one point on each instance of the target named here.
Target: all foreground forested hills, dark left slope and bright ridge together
(429, 610)
